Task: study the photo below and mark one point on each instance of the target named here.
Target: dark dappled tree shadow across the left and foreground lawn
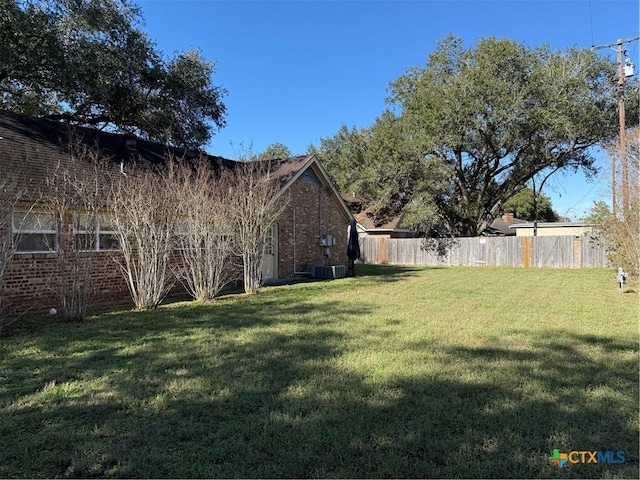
(248, 400)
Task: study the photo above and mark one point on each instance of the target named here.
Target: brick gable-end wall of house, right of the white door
(316, 213)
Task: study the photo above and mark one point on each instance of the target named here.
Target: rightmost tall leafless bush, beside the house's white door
(255, 204)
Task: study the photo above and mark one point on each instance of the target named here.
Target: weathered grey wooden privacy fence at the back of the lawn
(550, 251)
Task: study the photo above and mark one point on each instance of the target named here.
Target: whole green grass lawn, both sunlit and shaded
(400, 372)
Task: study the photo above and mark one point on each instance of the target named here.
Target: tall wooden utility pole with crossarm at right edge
(623, 137)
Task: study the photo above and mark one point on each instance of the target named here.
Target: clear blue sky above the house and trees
(297, 70)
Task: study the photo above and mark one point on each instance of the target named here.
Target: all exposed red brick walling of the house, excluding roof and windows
(32, 281)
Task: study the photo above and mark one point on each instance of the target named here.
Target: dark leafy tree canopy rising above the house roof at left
(88, 62)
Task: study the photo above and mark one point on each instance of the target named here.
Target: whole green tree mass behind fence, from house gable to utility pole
(463, 134)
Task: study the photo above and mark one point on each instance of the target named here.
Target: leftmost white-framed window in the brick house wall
(34, 232)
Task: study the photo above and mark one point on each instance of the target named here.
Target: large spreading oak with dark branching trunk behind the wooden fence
(500, 114)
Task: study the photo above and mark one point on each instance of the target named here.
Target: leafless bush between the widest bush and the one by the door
(204, 231)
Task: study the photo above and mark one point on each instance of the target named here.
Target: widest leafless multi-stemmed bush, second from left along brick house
(143, 206)
